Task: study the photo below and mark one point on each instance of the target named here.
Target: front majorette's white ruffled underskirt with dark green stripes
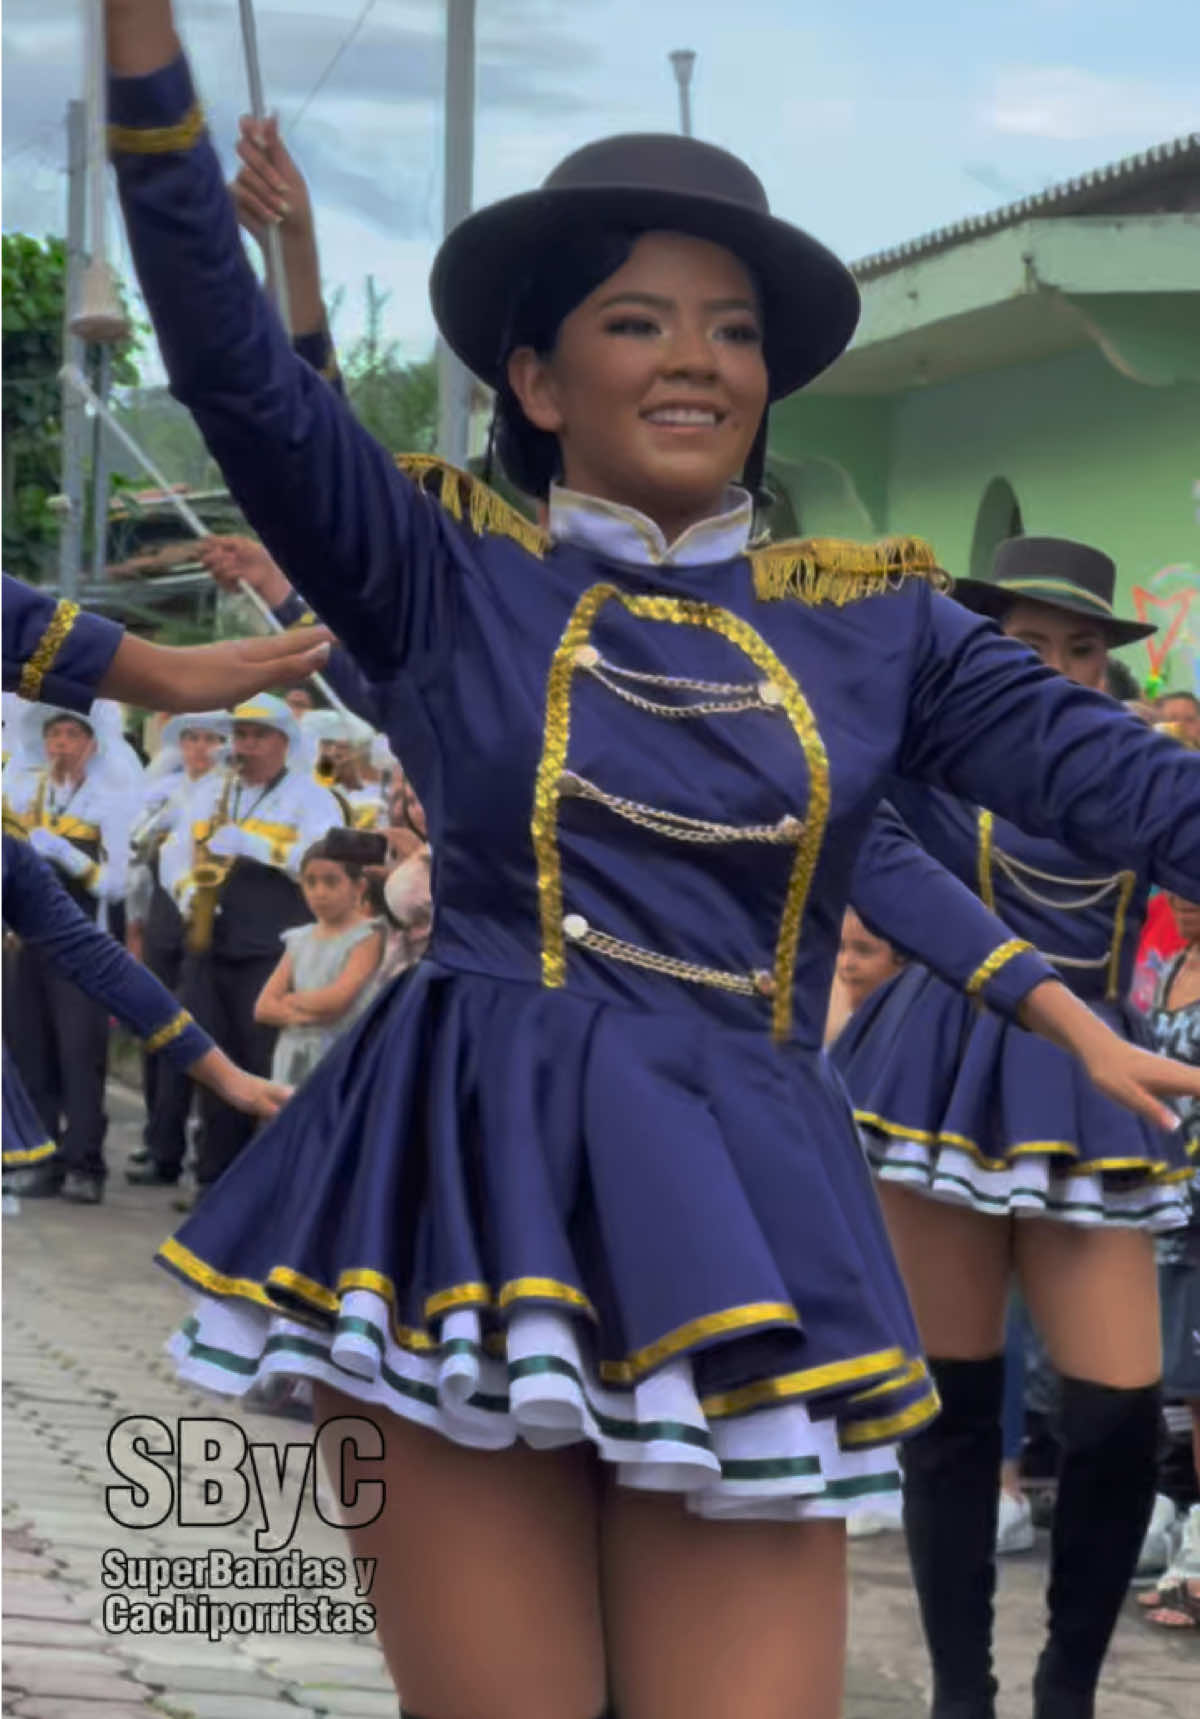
(774, 1464)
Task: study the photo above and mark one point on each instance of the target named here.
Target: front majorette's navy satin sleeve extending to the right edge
(988, 721)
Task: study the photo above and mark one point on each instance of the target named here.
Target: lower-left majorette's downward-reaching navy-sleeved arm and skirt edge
(44, 915)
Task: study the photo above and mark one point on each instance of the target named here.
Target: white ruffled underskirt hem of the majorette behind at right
(1029, 1187)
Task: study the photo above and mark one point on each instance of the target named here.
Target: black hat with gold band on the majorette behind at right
(1058, 573)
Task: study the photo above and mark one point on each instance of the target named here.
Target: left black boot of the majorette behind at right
(952, 1500)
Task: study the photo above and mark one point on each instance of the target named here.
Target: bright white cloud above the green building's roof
(1068, 104)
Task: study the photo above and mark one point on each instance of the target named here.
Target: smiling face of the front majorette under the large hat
(658, 382)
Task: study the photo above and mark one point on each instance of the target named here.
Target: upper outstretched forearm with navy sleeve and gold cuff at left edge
(58, 652)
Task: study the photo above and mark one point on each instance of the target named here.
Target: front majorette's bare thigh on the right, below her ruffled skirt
(709, 1620)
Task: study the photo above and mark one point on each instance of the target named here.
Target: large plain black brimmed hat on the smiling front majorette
(651, 183)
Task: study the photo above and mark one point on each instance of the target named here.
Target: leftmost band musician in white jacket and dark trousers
(77, 812)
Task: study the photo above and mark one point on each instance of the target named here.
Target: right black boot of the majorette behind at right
(1106, 1493)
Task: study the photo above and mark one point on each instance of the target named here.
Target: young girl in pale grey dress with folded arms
(324, 979)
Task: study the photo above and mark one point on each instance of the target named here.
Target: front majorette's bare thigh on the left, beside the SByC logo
(487, 1586)
